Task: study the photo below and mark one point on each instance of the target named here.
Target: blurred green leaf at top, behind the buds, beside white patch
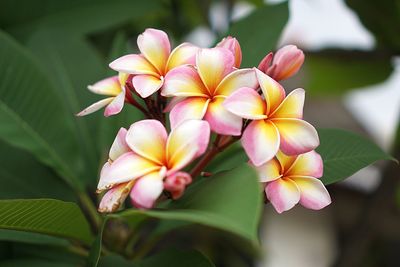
(269, 21)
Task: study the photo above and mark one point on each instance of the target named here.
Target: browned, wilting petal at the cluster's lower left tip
(114, 197)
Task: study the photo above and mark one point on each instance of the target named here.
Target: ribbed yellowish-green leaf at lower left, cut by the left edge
(46, 216)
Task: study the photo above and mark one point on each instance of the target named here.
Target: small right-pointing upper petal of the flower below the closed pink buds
(292, 105)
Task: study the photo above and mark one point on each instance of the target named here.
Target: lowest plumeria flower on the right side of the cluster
(294, 179)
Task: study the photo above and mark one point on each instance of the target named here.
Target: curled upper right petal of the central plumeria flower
(235, 80)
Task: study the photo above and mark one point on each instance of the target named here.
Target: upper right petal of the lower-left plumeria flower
(186, 142)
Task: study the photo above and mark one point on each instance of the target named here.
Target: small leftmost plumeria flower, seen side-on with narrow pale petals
(114, 87)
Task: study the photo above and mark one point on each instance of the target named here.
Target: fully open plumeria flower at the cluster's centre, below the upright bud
(204, 89)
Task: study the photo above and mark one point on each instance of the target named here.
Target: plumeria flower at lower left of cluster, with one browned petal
(142, 157)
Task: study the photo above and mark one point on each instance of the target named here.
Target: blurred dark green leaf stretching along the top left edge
(87, 17)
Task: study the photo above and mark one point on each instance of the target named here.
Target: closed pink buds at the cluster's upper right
(286, 62)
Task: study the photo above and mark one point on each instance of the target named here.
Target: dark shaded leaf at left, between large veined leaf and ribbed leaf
(34, 180)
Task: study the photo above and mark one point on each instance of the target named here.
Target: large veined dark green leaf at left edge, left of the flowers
(31, 116)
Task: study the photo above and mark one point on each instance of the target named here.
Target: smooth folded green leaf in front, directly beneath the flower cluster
(230, 201)
